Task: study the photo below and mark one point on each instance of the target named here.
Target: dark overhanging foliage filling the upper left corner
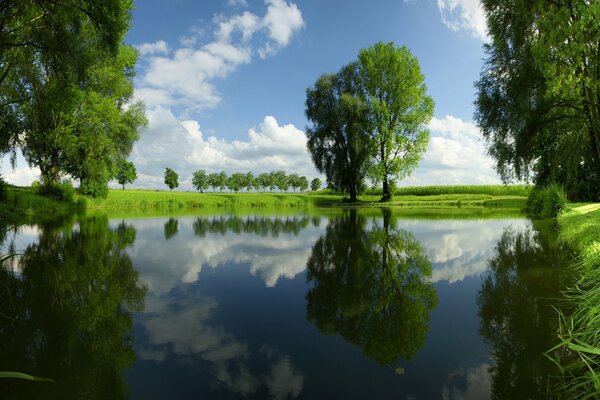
(62, 39)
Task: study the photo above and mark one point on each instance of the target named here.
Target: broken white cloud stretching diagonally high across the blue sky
(185, 78)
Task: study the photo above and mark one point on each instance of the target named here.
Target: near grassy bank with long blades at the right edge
(579, 352)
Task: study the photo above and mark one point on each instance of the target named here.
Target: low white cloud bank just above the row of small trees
(182, 146)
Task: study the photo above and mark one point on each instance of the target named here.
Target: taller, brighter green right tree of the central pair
(398, 109)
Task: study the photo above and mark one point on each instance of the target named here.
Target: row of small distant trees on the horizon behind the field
(239, 181)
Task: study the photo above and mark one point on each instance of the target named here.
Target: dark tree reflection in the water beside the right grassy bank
(516, 311)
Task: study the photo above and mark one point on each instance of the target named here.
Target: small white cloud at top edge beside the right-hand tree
(464, 15)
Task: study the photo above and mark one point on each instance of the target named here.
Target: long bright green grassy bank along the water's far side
(24, 205)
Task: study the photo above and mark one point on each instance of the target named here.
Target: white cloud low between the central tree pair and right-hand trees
(456, 156)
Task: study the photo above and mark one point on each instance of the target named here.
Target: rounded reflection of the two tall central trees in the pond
(371, 286)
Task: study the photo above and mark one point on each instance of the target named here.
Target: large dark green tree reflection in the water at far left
(68, 312)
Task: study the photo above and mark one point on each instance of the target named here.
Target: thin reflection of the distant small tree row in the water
(263, 226)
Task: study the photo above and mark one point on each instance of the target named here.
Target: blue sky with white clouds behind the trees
(224, 82)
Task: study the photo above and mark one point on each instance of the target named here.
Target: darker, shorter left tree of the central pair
(339, 139)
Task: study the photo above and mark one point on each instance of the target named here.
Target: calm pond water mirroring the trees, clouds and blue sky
(350, 305)
